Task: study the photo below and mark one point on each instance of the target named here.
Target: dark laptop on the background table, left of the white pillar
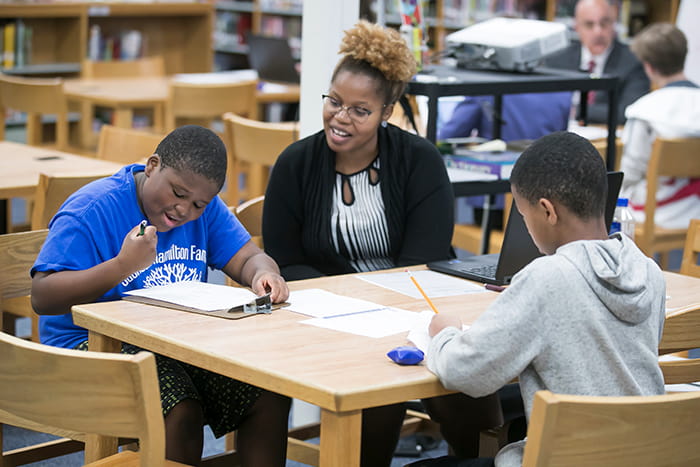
(272, 58)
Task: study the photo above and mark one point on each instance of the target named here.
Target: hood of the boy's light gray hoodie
(624, 292)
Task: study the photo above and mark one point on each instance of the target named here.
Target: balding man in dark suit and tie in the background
(600, 52)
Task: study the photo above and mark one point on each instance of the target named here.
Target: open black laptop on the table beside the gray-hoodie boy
(517, 250)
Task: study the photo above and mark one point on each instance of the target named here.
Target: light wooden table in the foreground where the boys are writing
(341, 373)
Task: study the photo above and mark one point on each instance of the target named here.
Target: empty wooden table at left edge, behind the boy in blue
(22, 164)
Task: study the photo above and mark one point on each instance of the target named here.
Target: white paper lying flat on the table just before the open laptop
(434, 284)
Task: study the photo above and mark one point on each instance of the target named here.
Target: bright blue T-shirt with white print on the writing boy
(90, 227)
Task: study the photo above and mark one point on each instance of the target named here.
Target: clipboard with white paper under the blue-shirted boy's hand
(205, 298)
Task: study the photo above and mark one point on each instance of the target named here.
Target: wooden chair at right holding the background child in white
(673, 158)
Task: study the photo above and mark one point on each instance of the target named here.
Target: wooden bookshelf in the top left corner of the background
(60, 32)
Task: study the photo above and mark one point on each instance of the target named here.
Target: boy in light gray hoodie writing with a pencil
(585, 319)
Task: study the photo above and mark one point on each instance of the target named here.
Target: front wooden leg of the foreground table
(340, 438)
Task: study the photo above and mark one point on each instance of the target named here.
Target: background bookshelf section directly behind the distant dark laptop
(234, 18)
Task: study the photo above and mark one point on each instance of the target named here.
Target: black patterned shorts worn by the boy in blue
(225, 401)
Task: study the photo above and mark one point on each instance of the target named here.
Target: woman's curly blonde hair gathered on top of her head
(382, 54)
